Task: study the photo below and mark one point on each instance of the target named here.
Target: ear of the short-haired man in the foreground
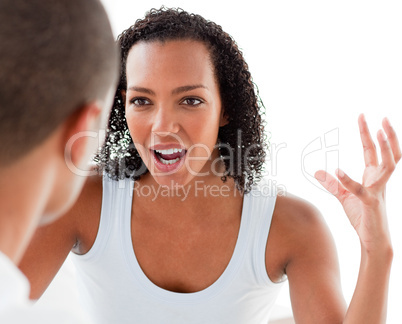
(81, 134)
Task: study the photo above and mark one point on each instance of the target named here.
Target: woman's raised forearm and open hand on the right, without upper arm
(364, 204)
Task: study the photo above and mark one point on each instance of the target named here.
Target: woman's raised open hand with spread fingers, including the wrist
(364, 203)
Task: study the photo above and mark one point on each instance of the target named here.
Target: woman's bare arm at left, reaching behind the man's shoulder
(52, 243)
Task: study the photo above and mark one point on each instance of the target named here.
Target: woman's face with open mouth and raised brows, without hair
(173, 109)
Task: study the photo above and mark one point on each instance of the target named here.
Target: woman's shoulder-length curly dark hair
(241, 142)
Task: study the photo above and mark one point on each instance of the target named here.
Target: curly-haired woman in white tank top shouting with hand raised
(177, 231)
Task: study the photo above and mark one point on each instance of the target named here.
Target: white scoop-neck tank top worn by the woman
(114, 289)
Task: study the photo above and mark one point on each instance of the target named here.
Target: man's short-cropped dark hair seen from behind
(55, 56)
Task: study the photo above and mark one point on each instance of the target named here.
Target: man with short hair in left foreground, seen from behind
(58, 72)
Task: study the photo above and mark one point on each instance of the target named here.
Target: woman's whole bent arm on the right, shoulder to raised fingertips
(311, 263)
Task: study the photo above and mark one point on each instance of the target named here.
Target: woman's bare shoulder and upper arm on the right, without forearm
(301, 243)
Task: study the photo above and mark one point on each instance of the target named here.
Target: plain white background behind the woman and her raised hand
(318, 64)
